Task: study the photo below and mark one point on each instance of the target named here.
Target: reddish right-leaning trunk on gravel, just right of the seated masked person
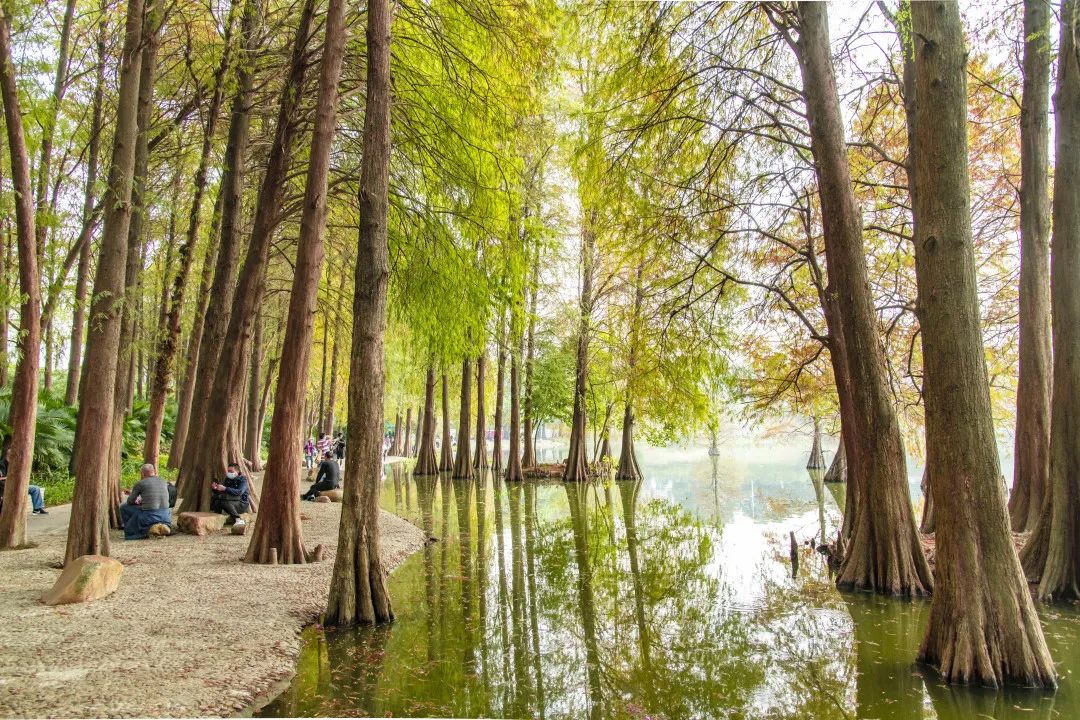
(278, 532)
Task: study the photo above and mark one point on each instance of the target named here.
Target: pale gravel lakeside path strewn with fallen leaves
(192, 631)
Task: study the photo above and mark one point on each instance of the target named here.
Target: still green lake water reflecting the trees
(671, 597)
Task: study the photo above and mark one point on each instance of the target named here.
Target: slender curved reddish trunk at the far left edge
(24, 402)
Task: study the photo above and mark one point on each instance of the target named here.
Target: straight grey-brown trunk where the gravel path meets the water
(359, 587)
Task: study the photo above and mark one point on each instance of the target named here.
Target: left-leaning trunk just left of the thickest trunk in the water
(885, 554)
